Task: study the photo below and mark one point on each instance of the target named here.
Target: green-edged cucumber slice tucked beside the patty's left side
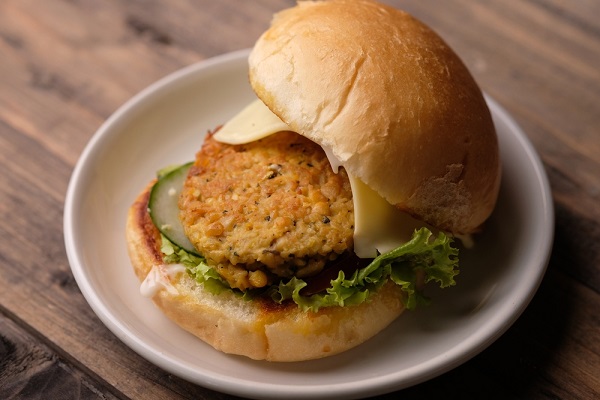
(164, 210)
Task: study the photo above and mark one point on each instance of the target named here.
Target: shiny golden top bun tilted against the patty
(391, 101)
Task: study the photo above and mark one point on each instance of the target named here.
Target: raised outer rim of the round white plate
(377, 385)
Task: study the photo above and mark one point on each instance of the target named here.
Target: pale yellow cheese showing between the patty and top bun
(378, 226)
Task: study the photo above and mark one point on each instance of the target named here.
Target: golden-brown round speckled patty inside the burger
(273, 207)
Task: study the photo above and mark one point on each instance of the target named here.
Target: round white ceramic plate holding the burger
(165, 124)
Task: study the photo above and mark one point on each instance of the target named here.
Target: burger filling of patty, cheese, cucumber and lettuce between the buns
(266, 212)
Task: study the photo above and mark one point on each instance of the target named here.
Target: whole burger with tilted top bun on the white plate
(312, 219)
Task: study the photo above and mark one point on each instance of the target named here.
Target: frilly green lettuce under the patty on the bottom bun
(432, 259)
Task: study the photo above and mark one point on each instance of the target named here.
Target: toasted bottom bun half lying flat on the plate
(259, 329)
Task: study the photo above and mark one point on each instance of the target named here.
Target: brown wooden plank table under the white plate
(65, 66)
